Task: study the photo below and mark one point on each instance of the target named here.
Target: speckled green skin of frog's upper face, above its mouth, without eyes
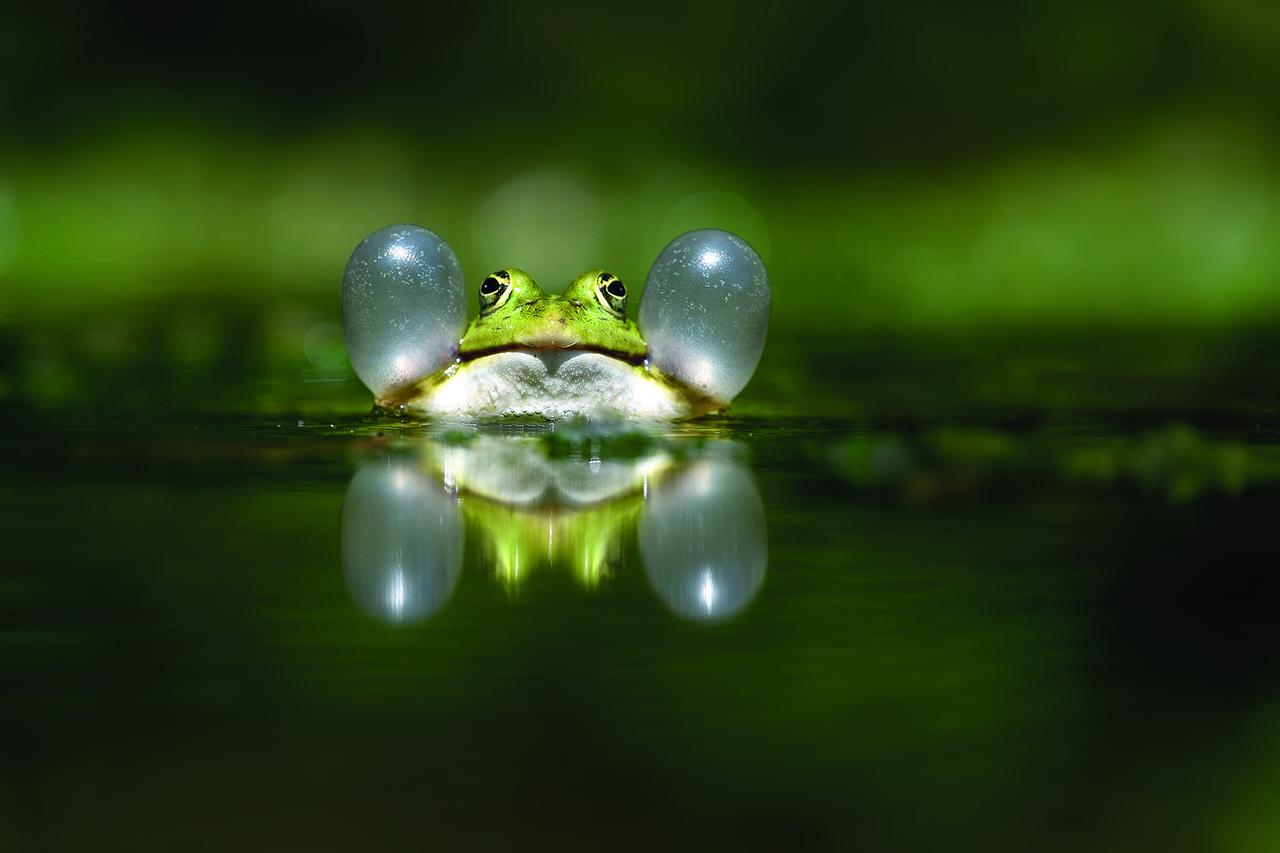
(577, 320)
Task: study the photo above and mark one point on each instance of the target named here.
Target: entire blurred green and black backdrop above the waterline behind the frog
(903, 168)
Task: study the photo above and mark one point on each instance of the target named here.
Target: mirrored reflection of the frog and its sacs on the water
(701, 524)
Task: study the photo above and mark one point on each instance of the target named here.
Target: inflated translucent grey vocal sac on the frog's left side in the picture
(404, 307)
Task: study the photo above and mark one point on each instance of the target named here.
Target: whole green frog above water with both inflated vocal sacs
(538, 355)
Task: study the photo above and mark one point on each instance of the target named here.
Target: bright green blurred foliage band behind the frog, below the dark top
(1171, 227)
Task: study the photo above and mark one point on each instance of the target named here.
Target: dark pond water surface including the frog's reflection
(981, 596)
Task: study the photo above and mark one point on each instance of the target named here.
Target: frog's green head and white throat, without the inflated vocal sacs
(551, 357)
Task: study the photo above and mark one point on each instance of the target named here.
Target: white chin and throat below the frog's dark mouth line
(552, 384)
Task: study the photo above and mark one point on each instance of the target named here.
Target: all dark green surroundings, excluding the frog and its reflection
(1014, 431)
